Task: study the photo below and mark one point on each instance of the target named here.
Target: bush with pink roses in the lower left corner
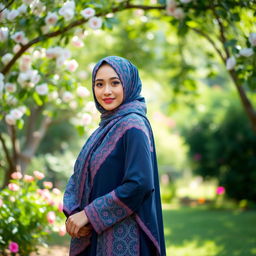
(28, 214)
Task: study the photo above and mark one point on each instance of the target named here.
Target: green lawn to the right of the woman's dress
(202, 232)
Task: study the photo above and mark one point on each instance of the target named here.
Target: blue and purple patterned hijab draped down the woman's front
(79, 186)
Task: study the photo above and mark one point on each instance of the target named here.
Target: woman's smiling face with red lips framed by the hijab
(108, 88)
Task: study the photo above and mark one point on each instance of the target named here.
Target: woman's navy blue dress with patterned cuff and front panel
(124, 206)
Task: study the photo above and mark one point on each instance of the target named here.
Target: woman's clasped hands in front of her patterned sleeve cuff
(75, 222)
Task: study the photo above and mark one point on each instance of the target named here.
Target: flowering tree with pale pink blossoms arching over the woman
(37, 83)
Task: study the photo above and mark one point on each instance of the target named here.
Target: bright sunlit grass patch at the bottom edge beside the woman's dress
(195, 247)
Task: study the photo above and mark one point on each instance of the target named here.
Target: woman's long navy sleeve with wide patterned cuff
(136, 186)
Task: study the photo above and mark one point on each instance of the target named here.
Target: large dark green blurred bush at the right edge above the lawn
(226, 150)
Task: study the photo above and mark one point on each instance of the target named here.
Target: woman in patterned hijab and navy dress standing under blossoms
(112, 200)
